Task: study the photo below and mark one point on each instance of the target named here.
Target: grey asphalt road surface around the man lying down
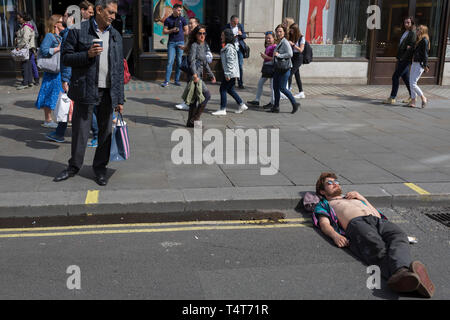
(213, 261)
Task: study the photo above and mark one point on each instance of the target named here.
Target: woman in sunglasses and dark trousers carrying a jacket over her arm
(198, 50)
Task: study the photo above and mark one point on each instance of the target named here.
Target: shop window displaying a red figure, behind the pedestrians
(329, 28)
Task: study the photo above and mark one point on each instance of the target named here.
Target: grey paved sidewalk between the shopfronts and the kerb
(342, 129)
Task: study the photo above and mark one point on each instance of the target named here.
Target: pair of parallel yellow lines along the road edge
(152, 228)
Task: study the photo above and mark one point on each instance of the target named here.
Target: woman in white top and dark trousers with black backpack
(297, 41)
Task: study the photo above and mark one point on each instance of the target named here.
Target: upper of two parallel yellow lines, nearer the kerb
(144, 225)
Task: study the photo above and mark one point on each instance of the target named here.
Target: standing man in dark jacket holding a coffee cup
(97, 80)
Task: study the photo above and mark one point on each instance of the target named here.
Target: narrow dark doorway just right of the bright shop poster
(216, 19)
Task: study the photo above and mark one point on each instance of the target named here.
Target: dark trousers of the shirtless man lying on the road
(379, 242)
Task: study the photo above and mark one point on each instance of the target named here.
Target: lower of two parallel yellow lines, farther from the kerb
(149, 230)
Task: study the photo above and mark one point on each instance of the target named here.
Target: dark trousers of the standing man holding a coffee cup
(81, 126)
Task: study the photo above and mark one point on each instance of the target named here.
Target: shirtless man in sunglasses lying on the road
(351, 221)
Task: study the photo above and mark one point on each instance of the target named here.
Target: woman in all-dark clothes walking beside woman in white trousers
(404, 58)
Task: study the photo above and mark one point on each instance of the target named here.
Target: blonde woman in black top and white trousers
(419, 65)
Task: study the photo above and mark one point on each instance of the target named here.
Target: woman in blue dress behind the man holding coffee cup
(51, 83)
